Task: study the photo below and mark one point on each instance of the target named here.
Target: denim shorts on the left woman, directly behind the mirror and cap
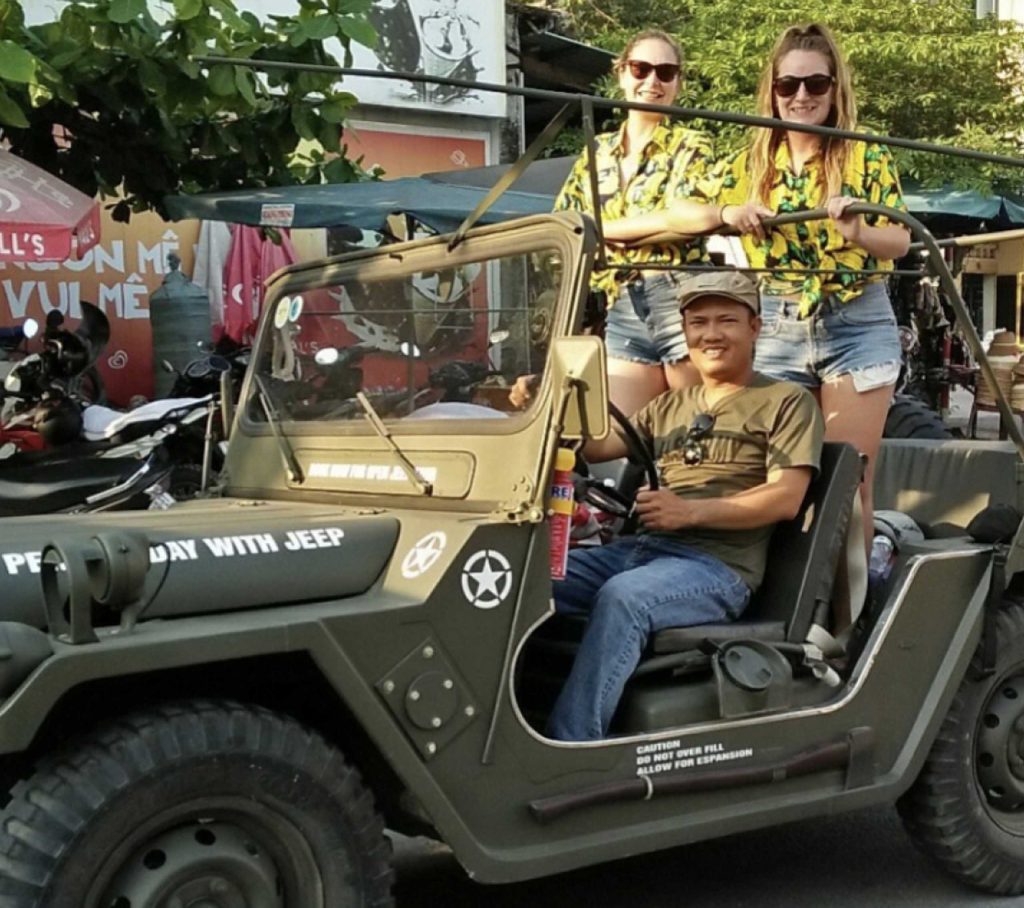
(645, 324)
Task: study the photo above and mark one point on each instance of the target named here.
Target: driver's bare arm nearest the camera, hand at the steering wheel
(778, 499)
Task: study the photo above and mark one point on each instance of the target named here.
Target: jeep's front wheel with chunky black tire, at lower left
(211, 803)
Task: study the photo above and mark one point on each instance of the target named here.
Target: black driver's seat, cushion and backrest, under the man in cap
(803, 557)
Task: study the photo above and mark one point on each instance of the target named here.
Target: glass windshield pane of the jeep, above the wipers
(429, 344)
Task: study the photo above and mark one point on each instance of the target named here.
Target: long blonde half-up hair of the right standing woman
(835, 152)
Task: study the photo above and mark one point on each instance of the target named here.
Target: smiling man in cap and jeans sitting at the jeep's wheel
(736, 456)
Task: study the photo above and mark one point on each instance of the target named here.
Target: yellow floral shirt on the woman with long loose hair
(871, 176)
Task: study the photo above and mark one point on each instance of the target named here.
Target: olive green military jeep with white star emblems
(227, 704)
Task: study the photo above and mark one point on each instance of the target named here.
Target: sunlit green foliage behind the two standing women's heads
(922, 70)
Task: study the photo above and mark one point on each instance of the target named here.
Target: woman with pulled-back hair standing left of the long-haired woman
(643, 167)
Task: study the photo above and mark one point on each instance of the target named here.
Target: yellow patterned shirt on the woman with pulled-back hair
(674, 161)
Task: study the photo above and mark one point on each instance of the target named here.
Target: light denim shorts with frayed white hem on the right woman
(859, 338)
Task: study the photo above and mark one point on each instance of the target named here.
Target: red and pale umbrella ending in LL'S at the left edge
(42, 220)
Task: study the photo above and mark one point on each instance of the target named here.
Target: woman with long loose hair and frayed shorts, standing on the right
(833, 332)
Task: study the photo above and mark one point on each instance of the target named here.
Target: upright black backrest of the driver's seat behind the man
(804, 552)
